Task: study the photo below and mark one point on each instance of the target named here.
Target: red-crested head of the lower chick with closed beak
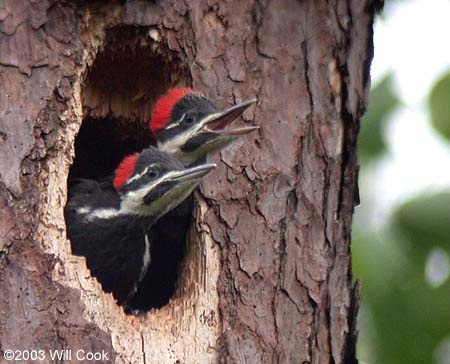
(152, 182)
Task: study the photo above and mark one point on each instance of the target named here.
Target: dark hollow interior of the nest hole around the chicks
(118, 94)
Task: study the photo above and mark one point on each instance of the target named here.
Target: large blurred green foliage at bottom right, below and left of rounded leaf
(409, 316)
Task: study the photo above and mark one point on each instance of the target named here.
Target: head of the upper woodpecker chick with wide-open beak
(189, 126)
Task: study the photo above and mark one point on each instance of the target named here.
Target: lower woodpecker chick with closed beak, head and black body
(110, 227)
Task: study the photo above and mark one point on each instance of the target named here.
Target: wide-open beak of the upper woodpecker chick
(217, 122)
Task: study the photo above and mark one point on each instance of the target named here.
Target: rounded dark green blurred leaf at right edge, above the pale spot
(425, 220)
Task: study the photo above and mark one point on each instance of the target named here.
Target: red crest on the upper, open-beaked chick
(164, 106)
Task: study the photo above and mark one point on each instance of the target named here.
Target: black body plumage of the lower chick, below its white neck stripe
(114, 249)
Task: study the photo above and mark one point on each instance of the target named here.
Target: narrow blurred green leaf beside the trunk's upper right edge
(383, 101)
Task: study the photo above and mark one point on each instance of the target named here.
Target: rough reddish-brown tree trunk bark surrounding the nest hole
(268, 276)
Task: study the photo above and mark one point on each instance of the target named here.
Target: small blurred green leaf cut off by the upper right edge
(439, 105)
